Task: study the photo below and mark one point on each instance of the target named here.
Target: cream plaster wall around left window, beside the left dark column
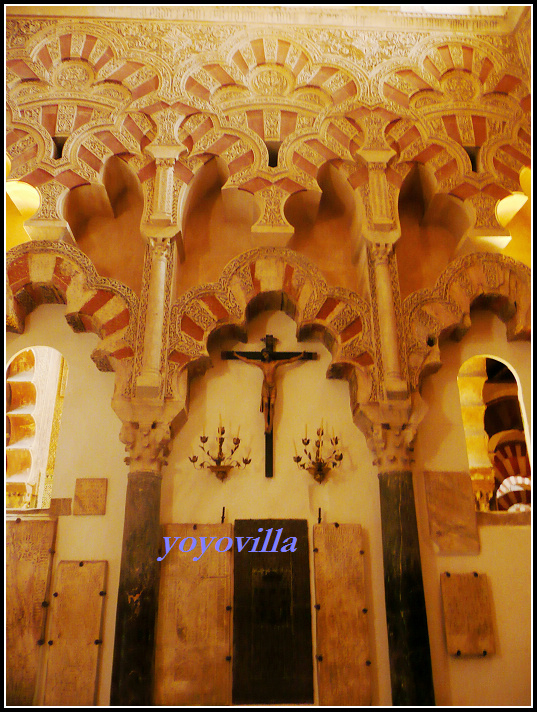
(88, 446)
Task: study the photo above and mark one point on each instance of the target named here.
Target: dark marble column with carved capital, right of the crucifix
(390, 429)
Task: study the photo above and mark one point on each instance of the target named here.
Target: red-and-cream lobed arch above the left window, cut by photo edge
(45, 273)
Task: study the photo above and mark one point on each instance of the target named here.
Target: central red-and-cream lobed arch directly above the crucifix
(279, 279)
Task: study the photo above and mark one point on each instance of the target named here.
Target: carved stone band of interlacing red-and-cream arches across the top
(120, 68)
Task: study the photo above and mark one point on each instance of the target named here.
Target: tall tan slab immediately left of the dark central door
(193, 640)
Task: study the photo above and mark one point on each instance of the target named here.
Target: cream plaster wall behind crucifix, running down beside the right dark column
(305, 395)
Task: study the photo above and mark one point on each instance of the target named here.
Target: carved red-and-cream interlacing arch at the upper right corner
(473, 152)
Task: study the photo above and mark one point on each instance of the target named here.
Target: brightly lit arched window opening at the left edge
(35, 387)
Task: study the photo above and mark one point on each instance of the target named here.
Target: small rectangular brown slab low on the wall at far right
(467, 603)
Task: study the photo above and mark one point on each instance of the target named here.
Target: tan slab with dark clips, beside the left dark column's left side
(74, 639)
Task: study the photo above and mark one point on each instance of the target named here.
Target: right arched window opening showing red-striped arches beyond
(495, 439)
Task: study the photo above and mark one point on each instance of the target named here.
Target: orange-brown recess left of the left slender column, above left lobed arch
(105, 222)
